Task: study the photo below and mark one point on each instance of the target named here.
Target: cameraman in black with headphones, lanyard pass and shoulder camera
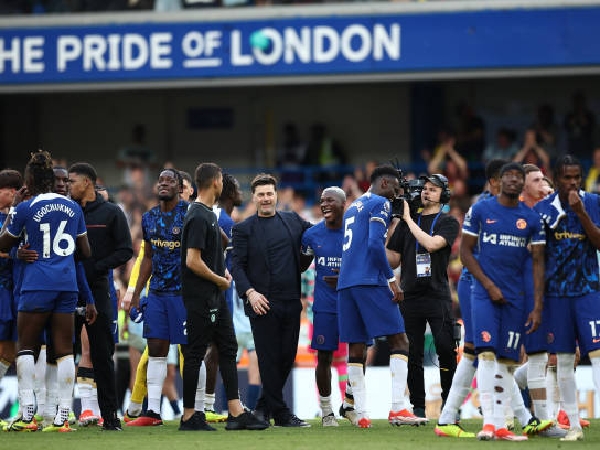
(422, 245)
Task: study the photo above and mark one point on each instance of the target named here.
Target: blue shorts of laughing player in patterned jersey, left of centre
(165, 318)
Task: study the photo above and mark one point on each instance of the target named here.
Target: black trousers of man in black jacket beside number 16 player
(102, 348)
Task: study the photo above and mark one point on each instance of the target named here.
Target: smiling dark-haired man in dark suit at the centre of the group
(266, 267)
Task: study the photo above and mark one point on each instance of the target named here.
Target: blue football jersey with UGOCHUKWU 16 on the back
(52, 223)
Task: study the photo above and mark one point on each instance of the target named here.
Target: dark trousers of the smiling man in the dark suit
(276, 341)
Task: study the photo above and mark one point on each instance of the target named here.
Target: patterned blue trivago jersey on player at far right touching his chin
(571, 259)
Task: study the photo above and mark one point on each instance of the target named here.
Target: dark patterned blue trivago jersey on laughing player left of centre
(162, 230)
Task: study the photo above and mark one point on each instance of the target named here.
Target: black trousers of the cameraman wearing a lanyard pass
(417, 312)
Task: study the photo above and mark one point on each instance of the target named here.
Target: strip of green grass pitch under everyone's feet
(346, 437)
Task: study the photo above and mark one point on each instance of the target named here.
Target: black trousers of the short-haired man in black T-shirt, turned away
(204, 327)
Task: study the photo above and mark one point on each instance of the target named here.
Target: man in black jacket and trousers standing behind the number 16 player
(110, 240)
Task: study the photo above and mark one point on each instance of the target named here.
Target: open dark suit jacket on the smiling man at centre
(250, 261)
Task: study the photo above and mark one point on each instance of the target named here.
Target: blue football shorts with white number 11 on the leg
(498, 328)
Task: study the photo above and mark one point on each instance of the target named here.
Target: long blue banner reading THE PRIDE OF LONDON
(418, 42)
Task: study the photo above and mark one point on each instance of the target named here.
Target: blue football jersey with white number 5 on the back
(368, 217)
